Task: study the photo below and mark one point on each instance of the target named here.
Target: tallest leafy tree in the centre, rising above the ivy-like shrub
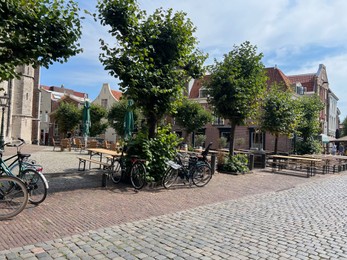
(154, 56)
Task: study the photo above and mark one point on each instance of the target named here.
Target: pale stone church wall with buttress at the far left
(21, 115)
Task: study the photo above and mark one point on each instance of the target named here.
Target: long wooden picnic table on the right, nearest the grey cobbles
(283, 160)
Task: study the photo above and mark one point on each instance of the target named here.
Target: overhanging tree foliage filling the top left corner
(37, 32)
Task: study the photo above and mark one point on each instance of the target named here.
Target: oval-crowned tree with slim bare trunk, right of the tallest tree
(236, 85)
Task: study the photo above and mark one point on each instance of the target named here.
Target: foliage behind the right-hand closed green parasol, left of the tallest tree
(116, 116)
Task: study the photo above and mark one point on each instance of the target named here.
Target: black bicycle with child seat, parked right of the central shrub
(194, 169)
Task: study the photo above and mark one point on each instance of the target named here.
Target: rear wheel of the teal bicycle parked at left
(36, 186)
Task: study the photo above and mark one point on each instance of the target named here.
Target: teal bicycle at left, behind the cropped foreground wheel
(29, 172)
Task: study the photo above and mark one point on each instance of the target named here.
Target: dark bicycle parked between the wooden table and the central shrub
(135, 168)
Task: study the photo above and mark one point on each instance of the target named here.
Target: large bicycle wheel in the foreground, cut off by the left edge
(13, 197)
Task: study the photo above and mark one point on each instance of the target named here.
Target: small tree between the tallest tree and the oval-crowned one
(192, 116)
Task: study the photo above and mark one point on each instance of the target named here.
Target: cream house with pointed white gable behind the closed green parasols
(107, 98)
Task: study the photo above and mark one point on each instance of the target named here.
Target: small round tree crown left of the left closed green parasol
(68, 117)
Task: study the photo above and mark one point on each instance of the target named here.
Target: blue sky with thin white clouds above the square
(296, 36)
